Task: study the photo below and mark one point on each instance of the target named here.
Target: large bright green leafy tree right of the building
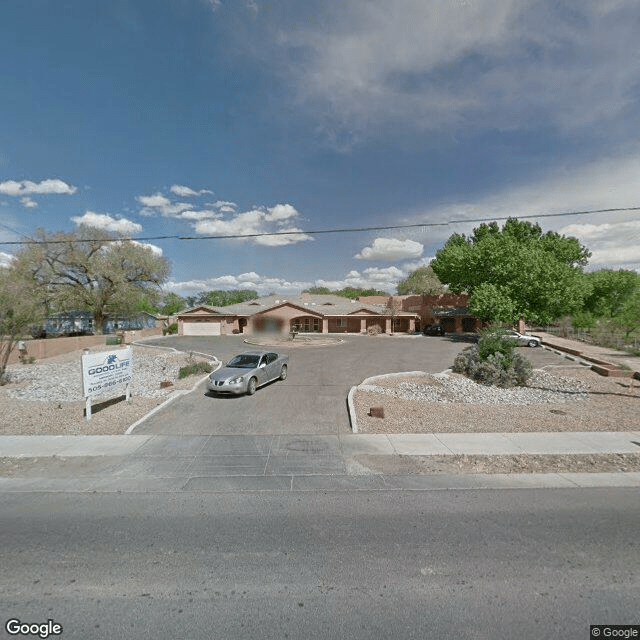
(514, 271)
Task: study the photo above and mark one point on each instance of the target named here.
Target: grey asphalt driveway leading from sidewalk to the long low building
(312, 400)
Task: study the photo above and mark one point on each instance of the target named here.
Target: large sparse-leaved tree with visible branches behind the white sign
(93, 270)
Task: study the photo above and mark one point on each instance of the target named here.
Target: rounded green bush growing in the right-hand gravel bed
(493, 361)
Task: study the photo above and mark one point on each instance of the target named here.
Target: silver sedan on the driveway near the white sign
(246, 372)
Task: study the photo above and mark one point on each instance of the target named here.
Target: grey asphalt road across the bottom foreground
(413, 565)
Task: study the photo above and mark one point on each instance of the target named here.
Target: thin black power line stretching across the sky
(325, 231)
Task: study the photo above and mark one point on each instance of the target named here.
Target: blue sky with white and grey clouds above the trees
(195, 118)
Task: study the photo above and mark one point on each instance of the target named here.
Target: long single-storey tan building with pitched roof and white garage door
(305, 313)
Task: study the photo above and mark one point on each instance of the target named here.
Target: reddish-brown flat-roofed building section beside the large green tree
(451, 310)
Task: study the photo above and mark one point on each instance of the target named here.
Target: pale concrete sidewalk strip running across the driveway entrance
(424, 444)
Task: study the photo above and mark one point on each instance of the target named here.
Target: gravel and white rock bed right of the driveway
(558, 398)
